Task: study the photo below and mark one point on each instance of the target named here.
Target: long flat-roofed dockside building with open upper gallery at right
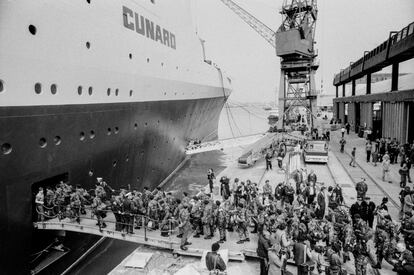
(387, 107)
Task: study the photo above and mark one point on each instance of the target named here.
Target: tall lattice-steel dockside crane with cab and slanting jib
(294, 43)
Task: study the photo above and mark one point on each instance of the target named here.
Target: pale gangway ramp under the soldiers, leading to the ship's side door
(145, 236)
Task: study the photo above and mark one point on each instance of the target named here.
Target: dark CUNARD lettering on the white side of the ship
(146, 27)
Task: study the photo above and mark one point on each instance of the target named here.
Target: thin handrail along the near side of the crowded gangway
(83, 219)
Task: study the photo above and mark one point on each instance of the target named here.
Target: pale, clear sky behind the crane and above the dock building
(344, 30)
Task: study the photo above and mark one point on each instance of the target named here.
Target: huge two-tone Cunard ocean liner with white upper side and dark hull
(91, 88)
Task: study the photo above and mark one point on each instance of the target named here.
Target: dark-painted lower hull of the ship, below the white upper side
(130, 145)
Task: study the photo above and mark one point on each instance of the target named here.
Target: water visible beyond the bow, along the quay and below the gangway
(243, 121)
